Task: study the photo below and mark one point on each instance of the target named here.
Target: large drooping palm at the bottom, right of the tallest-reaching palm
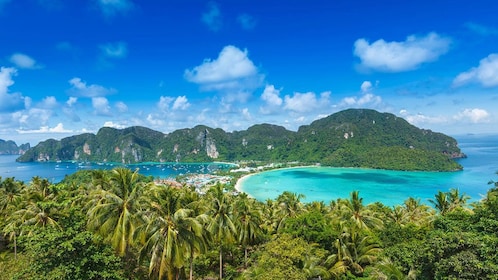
(171, 233)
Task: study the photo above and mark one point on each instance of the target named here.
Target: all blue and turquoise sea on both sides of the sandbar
(316, 183)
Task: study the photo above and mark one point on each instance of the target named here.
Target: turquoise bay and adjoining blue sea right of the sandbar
(389, 187)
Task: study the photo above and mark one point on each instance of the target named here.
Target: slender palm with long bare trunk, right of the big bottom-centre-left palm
(221, 226)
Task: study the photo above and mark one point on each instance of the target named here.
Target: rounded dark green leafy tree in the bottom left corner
(73, 253)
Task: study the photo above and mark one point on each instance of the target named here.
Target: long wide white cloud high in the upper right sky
(400, 56)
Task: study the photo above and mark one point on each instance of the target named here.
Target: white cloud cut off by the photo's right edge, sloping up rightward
(486, 73)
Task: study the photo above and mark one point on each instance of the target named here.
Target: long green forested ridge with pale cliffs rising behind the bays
(350, 138)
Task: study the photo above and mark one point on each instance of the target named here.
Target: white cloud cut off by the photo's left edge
(10, 102)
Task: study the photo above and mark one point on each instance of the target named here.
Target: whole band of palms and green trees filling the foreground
(118, 224)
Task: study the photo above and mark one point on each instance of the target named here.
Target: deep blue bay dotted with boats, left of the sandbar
(56, 171)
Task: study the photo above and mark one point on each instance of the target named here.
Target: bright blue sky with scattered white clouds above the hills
(72, 67)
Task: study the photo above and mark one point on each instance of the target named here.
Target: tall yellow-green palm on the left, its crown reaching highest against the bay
(113, 213)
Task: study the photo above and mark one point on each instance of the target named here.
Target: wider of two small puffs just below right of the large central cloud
(306, 102)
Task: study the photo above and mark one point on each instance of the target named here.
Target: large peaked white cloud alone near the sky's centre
(232, 70)
